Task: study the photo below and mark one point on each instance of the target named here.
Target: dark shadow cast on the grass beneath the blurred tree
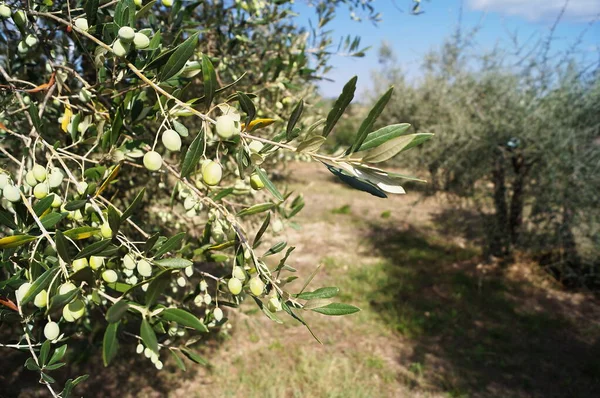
(479, 333)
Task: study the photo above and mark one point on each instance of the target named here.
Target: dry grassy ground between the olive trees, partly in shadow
(436, 321)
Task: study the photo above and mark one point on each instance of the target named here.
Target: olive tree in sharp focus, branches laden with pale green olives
(138, 141)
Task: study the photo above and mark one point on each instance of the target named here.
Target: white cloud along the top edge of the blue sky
(579, 10)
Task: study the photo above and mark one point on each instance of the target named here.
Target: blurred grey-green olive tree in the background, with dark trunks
(517, 136)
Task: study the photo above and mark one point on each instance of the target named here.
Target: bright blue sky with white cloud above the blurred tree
(412, 36)
